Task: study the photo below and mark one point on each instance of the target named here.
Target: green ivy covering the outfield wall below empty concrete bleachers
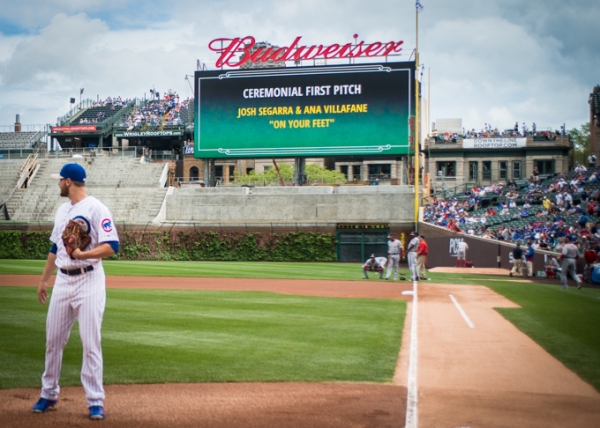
(182, 244)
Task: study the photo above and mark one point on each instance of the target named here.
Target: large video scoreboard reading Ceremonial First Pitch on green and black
(352, 110)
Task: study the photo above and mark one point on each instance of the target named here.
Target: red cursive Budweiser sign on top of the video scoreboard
(228, 50)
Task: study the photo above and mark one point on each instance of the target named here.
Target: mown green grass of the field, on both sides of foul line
(153, 336)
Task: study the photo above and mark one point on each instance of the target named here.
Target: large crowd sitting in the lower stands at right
(562, 206)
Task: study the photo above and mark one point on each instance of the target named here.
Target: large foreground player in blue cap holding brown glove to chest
(79, 289)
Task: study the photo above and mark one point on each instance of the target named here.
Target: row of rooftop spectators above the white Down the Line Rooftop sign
(490, 132)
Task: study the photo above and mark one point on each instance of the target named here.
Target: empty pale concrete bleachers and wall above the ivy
(137, 193)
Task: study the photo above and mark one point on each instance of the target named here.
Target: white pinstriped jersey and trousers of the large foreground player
(80, 297)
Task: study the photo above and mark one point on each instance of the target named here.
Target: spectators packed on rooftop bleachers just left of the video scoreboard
(159, 112)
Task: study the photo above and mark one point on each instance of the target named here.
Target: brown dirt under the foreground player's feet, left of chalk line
(233, 405)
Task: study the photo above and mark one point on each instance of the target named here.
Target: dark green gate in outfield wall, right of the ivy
(356, 242)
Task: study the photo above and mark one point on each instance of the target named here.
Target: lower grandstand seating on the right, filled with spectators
(538, 222)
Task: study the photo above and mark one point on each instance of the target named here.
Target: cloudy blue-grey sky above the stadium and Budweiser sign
(497, 61)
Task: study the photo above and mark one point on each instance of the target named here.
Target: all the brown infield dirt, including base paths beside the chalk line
(491, 375)
